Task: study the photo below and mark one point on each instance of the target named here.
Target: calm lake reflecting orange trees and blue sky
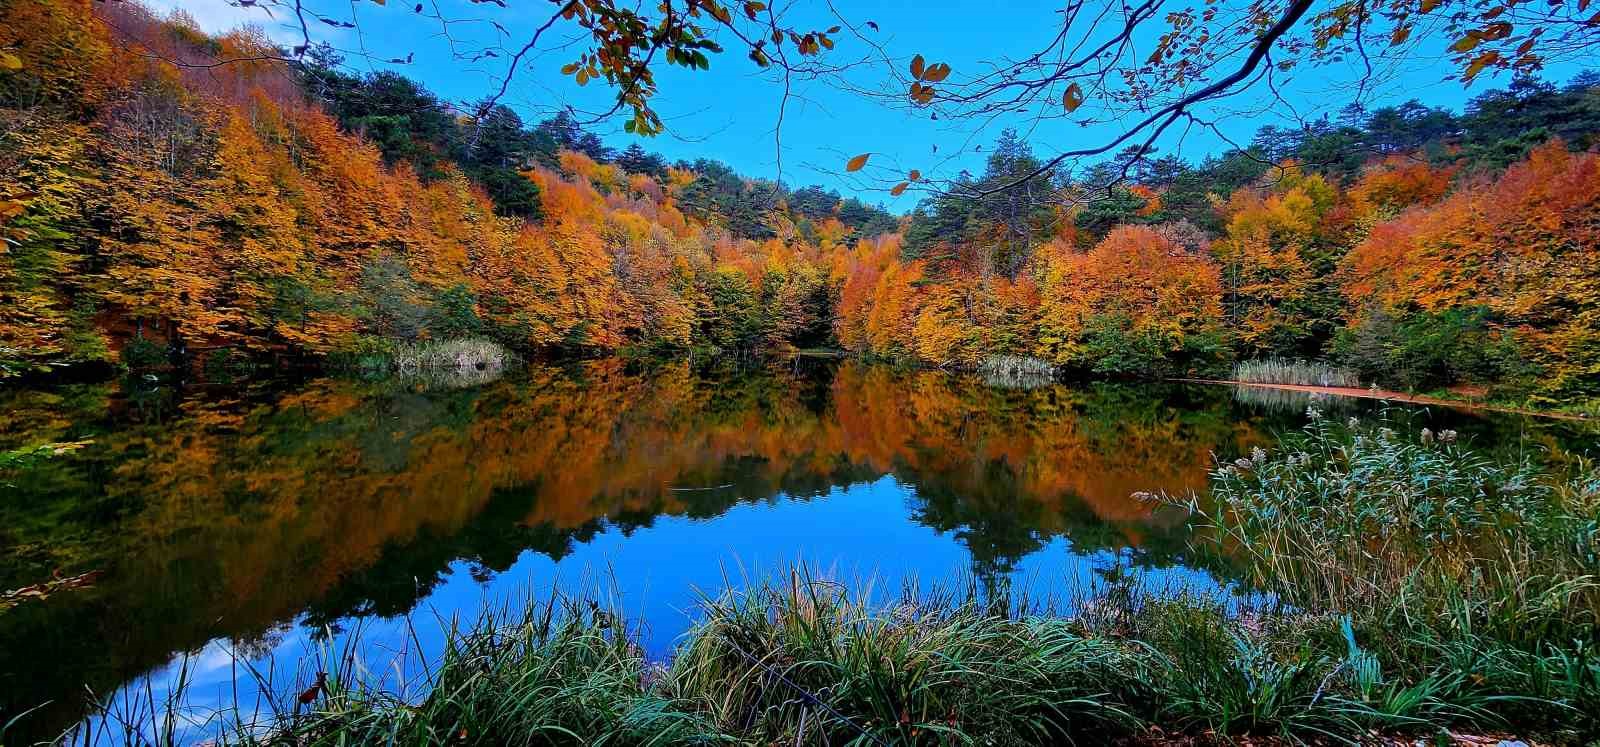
(268, 524)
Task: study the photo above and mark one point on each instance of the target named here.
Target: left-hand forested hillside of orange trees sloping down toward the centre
(270, 209)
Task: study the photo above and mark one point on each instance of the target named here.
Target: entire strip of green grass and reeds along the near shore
(1415, 586)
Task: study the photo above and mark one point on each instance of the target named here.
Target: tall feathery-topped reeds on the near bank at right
(1471, 583)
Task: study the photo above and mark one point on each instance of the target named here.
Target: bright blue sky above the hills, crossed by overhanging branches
(1010, 70)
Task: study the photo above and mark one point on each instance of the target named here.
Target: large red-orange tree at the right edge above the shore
(1522, 249)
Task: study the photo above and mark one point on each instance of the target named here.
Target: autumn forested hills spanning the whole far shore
(156, 212)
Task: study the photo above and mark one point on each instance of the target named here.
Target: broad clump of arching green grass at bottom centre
(812, 661)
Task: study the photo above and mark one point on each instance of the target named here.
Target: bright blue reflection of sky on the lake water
(854, 533)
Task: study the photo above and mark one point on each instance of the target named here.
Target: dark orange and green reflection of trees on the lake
(226, 516)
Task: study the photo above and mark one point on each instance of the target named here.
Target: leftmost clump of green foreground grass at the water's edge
(558, 673)
